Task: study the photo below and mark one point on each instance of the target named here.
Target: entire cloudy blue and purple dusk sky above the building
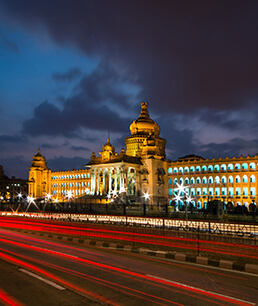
(74, 72)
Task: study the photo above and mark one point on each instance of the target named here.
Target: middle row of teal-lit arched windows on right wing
(211, 180)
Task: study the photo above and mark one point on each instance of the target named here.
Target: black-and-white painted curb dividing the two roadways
(224, 264)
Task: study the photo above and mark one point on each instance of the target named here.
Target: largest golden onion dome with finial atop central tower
(144, 125)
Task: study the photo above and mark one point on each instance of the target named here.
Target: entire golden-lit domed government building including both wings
(143, 170)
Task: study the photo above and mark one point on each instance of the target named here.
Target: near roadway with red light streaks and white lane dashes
(37, 271)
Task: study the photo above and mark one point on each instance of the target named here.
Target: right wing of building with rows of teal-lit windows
(227, 179)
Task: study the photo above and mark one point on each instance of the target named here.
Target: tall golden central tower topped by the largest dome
(146, 144)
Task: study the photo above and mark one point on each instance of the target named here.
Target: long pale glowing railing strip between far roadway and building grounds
(211, 227)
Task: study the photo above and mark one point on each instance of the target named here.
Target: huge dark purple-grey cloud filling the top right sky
(186, 55)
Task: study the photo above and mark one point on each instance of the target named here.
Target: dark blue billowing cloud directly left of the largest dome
(98, 104)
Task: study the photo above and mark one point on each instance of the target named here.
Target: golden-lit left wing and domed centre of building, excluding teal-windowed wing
(139, 170)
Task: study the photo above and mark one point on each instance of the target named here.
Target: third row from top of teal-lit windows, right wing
(216, 191)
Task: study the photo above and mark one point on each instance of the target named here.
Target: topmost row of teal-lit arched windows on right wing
(211, 168)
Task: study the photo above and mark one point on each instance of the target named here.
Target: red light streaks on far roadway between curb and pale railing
(247, 251)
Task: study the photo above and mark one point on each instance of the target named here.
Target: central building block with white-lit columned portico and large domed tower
(139, 170)
